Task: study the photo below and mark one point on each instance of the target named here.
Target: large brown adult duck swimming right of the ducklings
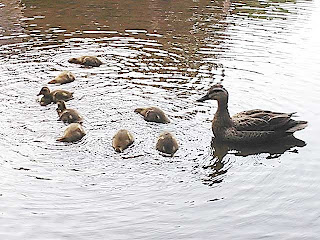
(254, 126)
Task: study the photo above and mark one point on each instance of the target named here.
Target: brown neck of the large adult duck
(222, 118)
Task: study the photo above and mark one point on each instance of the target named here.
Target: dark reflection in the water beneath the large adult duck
(217, 166)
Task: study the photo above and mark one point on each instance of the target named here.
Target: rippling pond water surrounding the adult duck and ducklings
(167, 54)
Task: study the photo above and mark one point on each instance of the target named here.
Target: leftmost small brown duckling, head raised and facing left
(54, 96)
